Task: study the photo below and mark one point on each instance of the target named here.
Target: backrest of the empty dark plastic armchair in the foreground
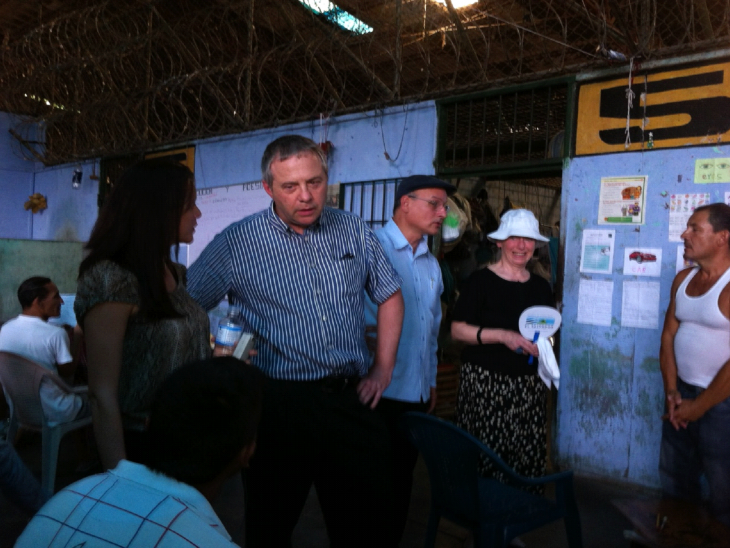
(452, 457)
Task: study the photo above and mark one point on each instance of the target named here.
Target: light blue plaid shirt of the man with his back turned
(130, 506)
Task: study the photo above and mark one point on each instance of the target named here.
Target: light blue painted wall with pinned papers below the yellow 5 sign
(611, 398)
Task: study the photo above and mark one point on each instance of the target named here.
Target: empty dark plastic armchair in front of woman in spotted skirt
(495, 512)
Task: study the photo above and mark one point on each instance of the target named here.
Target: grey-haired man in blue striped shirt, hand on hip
(298, 270)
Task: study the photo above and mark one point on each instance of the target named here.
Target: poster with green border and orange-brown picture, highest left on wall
(622, 200)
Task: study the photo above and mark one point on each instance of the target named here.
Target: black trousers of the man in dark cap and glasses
(404, 456)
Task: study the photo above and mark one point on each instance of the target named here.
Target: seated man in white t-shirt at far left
(31, 336)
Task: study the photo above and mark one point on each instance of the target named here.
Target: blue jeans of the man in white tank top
(702, 447)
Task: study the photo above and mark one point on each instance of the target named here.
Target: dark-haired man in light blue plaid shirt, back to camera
(201, 431)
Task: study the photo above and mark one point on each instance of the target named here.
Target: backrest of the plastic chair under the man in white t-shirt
(21, 379)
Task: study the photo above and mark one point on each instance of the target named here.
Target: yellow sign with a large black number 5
(679, 108)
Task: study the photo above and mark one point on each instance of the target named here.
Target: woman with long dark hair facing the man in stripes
(139, 321)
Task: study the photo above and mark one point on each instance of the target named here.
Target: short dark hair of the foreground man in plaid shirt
(201, 418)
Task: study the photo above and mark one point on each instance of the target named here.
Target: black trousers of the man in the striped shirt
(313, 433)
